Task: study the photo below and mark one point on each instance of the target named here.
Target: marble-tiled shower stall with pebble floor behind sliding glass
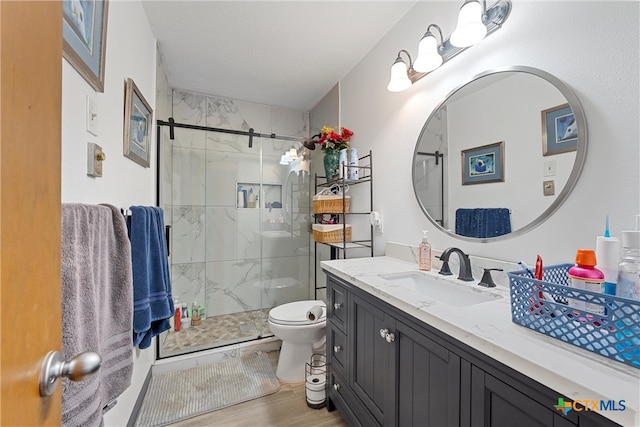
(238, 212)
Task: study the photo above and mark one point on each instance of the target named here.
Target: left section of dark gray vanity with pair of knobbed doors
(398, 376)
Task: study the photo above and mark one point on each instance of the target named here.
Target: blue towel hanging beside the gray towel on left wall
(152, 299)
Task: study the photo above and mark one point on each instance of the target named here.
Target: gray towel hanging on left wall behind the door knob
(97, 307)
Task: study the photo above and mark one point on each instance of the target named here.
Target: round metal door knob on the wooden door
(80, 368)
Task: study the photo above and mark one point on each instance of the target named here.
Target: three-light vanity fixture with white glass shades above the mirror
(475, 22)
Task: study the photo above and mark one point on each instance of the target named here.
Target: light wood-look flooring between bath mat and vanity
(285, 408)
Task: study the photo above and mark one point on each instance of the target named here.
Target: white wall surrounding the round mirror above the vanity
(602, 68)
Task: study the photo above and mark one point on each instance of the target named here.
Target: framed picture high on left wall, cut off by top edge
(84, 34)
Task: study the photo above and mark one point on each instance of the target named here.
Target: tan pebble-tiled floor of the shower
(217, 331)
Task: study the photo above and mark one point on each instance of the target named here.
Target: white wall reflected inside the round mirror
(495, 114)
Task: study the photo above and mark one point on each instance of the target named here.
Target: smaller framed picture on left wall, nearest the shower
(138, 117)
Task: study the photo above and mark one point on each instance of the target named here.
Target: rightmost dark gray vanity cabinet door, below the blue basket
(494, 403)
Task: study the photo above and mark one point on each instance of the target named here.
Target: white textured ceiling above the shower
(284, 53)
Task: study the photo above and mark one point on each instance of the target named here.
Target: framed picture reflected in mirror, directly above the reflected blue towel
(483, 164)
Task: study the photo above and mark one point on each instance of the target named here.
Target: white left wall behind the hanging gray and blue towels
(131, 52)
